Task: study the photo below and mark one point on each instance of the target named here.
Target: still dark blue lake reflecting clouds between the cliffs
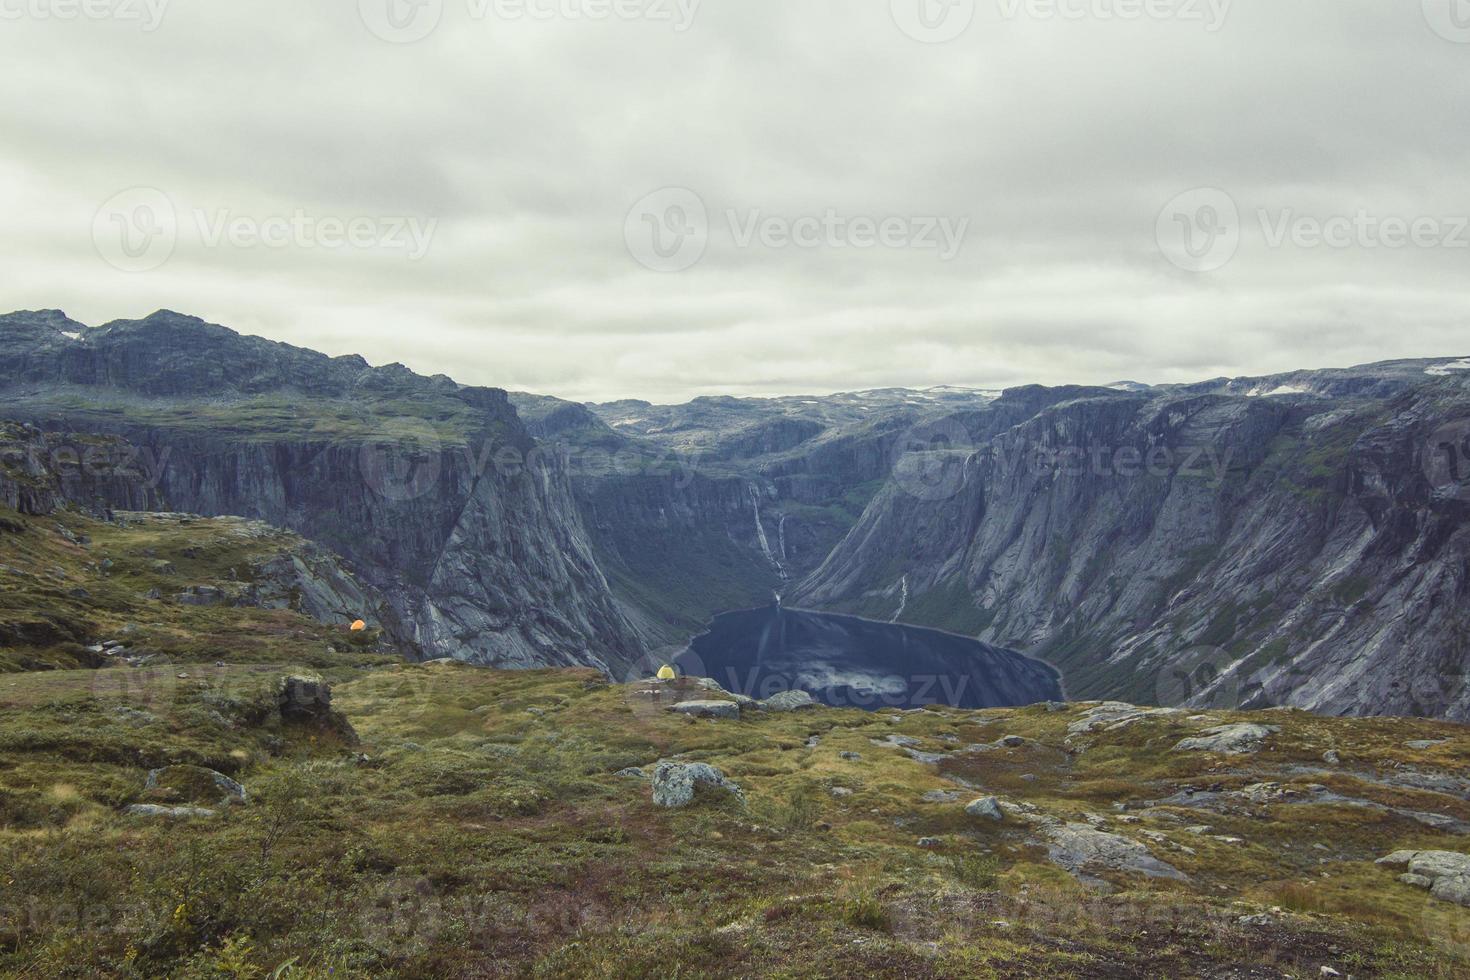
(855, 663)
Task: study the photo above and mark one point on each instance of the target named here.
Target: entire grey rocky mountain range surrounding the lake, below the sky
(1291, 540)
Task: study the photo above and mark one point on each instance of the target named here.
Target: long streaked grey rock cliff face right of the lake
(1193, 547)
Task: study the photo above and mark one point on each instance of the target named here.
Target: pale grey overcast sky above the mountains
(559, 195)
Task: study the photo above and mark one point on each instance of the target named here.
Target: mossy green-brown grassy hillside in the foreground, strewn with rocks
(455, 822)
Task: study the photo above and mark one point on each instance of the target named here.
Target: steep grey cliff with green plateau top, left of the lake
(429, 487)
